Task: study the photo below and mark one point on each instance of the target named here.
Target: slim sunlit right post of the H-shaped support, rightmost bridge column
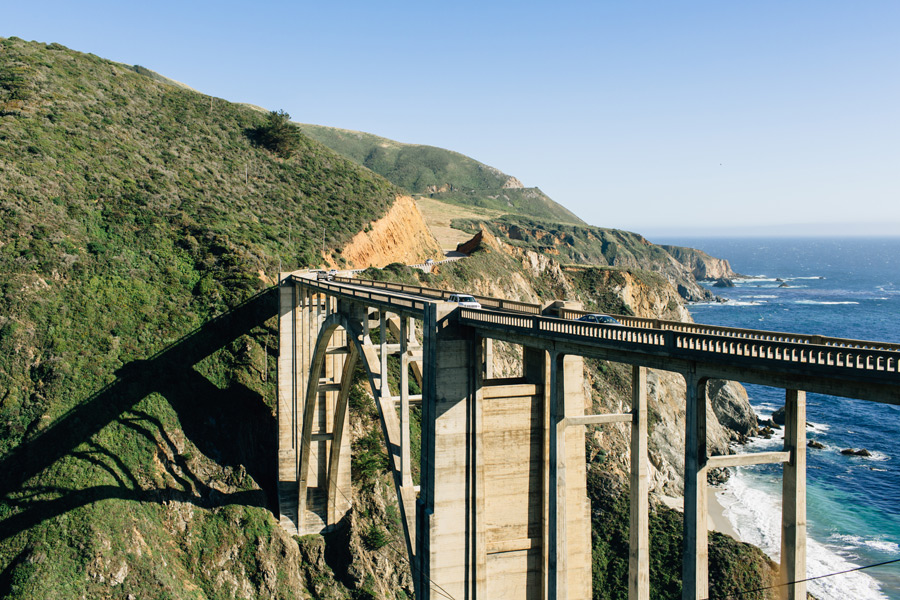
(793, 511)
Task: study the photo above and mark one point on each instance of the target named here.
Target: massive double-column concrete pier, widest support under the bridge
(503, 502)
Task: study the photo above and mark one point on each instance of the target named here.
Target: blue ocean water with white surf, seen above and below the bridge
(850, 288)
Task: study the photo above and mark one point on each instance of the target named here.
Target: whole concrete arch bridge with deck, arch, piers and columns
(501, 509)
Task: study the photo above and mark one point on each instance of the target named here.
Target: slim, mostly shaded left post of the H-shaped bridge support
(695, 566)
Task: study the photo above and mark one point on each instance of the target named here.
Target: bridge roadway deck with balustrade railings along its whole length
(850, 368)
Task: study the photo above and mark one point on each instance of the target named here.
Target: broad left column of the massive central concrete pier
(451, 537)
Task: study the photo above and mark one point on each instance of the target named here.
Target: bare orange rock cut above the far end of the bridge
(400, 236)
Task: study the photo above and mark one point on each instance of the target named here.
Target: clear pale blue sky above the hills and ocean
(653, 116)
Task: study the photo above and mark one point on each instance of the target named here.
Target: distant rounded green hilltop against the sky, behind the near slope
(441, 174)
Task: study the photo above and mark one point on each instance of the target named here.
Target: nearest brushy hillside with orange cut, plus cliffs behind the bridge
(144, 226)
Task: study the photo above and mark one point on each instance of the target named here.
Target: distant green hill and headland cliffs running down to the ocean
(459, 195)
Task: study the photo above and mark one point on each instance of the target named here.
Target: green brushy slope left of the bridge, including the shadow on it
(133, 211)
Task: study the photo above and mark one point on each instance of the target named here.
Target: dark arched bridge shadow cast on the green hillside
(232, 426)
